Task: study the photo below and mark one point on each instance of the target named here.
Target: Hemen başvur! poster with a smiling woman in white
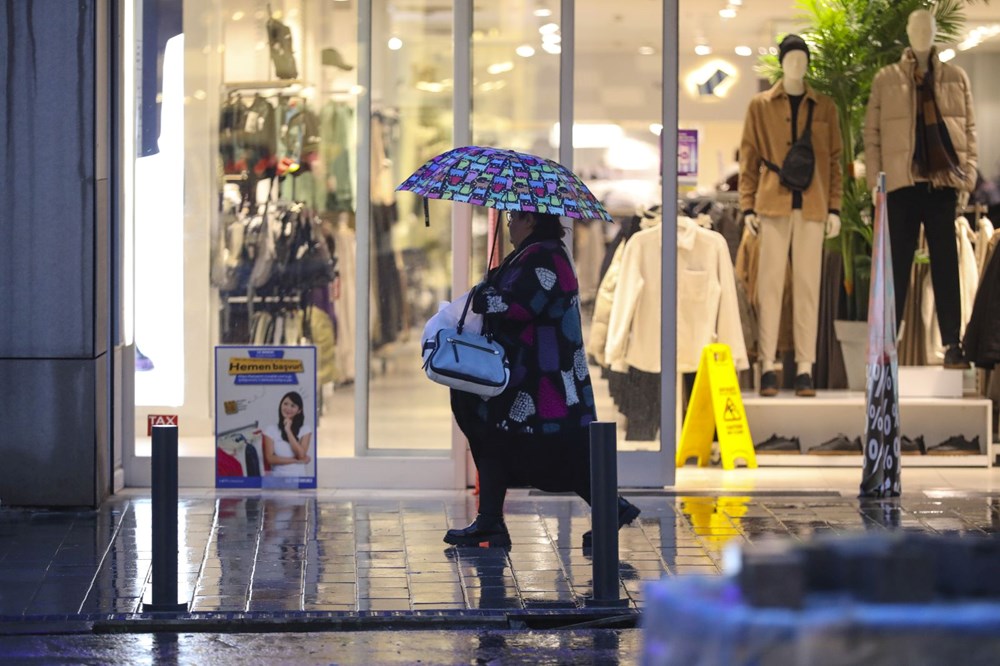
(265, 417)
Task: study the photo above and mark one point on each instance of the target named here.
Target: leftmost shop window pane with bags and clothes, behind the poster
(244, 216)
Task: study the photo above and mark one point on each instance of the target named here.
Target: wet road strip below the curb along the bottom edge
(426, 647)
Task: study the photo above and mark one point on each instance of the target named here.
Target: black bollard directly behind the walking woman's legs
(604, 515)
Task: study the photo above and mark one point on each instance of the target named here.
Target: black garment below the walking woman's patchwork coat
(553, 463)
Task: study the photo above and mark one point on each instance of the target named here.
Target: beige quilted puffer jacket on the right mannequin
(891, 123)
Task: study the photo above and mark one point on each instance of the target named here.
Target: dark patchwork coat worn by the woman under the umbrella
(531, 303)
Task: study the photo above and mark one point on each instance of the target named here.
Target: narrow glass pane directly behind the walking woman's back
(617, 103)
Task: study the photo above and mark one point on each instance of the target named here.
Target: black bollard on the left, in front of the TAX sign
(164, 522)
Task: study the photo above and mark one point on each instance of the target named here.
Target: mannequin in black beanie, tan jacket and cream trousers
(787, 220)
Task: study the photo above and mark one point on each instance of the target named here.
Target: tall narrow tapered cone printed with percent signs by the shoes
(880, 477)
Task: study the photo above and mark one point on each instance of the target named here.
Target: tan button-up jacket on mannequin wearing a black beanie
(767, 134)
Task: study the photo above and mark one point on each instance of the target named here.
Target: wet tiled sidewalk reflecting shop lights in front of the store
(292, 552)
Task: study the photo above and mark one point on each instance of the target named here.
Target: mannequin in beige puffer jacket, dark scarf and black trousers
(920, 129)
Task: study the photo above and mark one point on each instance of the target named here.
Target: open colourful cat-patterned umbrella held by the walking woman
(505, 180)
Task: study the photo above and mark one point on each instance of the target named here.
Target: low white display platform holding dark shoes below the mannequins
(832, 413)
